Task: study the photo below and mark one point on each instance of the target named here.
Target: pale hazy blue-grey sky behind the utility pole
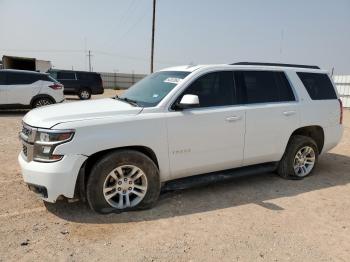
(118, 33)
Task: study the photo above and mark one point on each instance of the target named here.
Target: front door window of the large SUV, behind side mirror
(213, 89)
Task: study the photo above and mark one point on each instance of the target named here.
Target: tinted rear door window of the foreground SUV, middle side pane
(264, 86)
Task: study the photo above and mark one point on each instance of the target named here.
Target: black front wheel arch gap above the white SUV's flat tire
(83, 176)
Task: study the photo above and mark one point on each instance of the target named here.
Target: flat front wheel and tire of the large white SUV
(103, 185)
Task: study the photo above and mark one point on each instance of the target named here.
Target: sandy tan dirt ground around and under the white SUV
(257, 218)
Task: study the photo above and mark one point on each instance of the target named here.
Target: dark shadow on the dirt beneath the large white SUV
(333, 170)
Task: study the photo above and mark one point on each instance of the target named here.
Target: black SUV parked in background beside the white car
(83, 84)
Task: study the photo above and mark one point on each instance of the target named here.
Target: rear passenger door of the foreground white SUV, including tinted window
(271, 114)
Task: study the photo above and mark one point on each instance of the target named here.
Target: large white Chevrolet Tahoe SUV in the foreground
(116, 153)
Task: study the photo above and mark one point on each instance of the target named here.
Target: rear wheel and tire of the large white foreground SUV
(292, 166)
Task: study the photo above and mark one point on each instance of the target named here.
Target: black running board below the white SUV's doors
(214, 177)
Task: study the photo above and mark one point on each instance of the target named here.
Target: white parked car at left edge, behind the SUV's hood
(28, 89)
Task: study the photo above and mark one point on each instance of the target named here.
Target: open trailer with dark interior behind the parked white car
(25, 63)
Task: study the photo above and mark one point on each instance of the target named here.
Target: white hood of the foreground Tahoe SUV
(49, 116)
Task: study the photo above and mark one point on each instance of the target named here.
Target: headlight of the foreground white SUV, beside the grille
(46, 142)
